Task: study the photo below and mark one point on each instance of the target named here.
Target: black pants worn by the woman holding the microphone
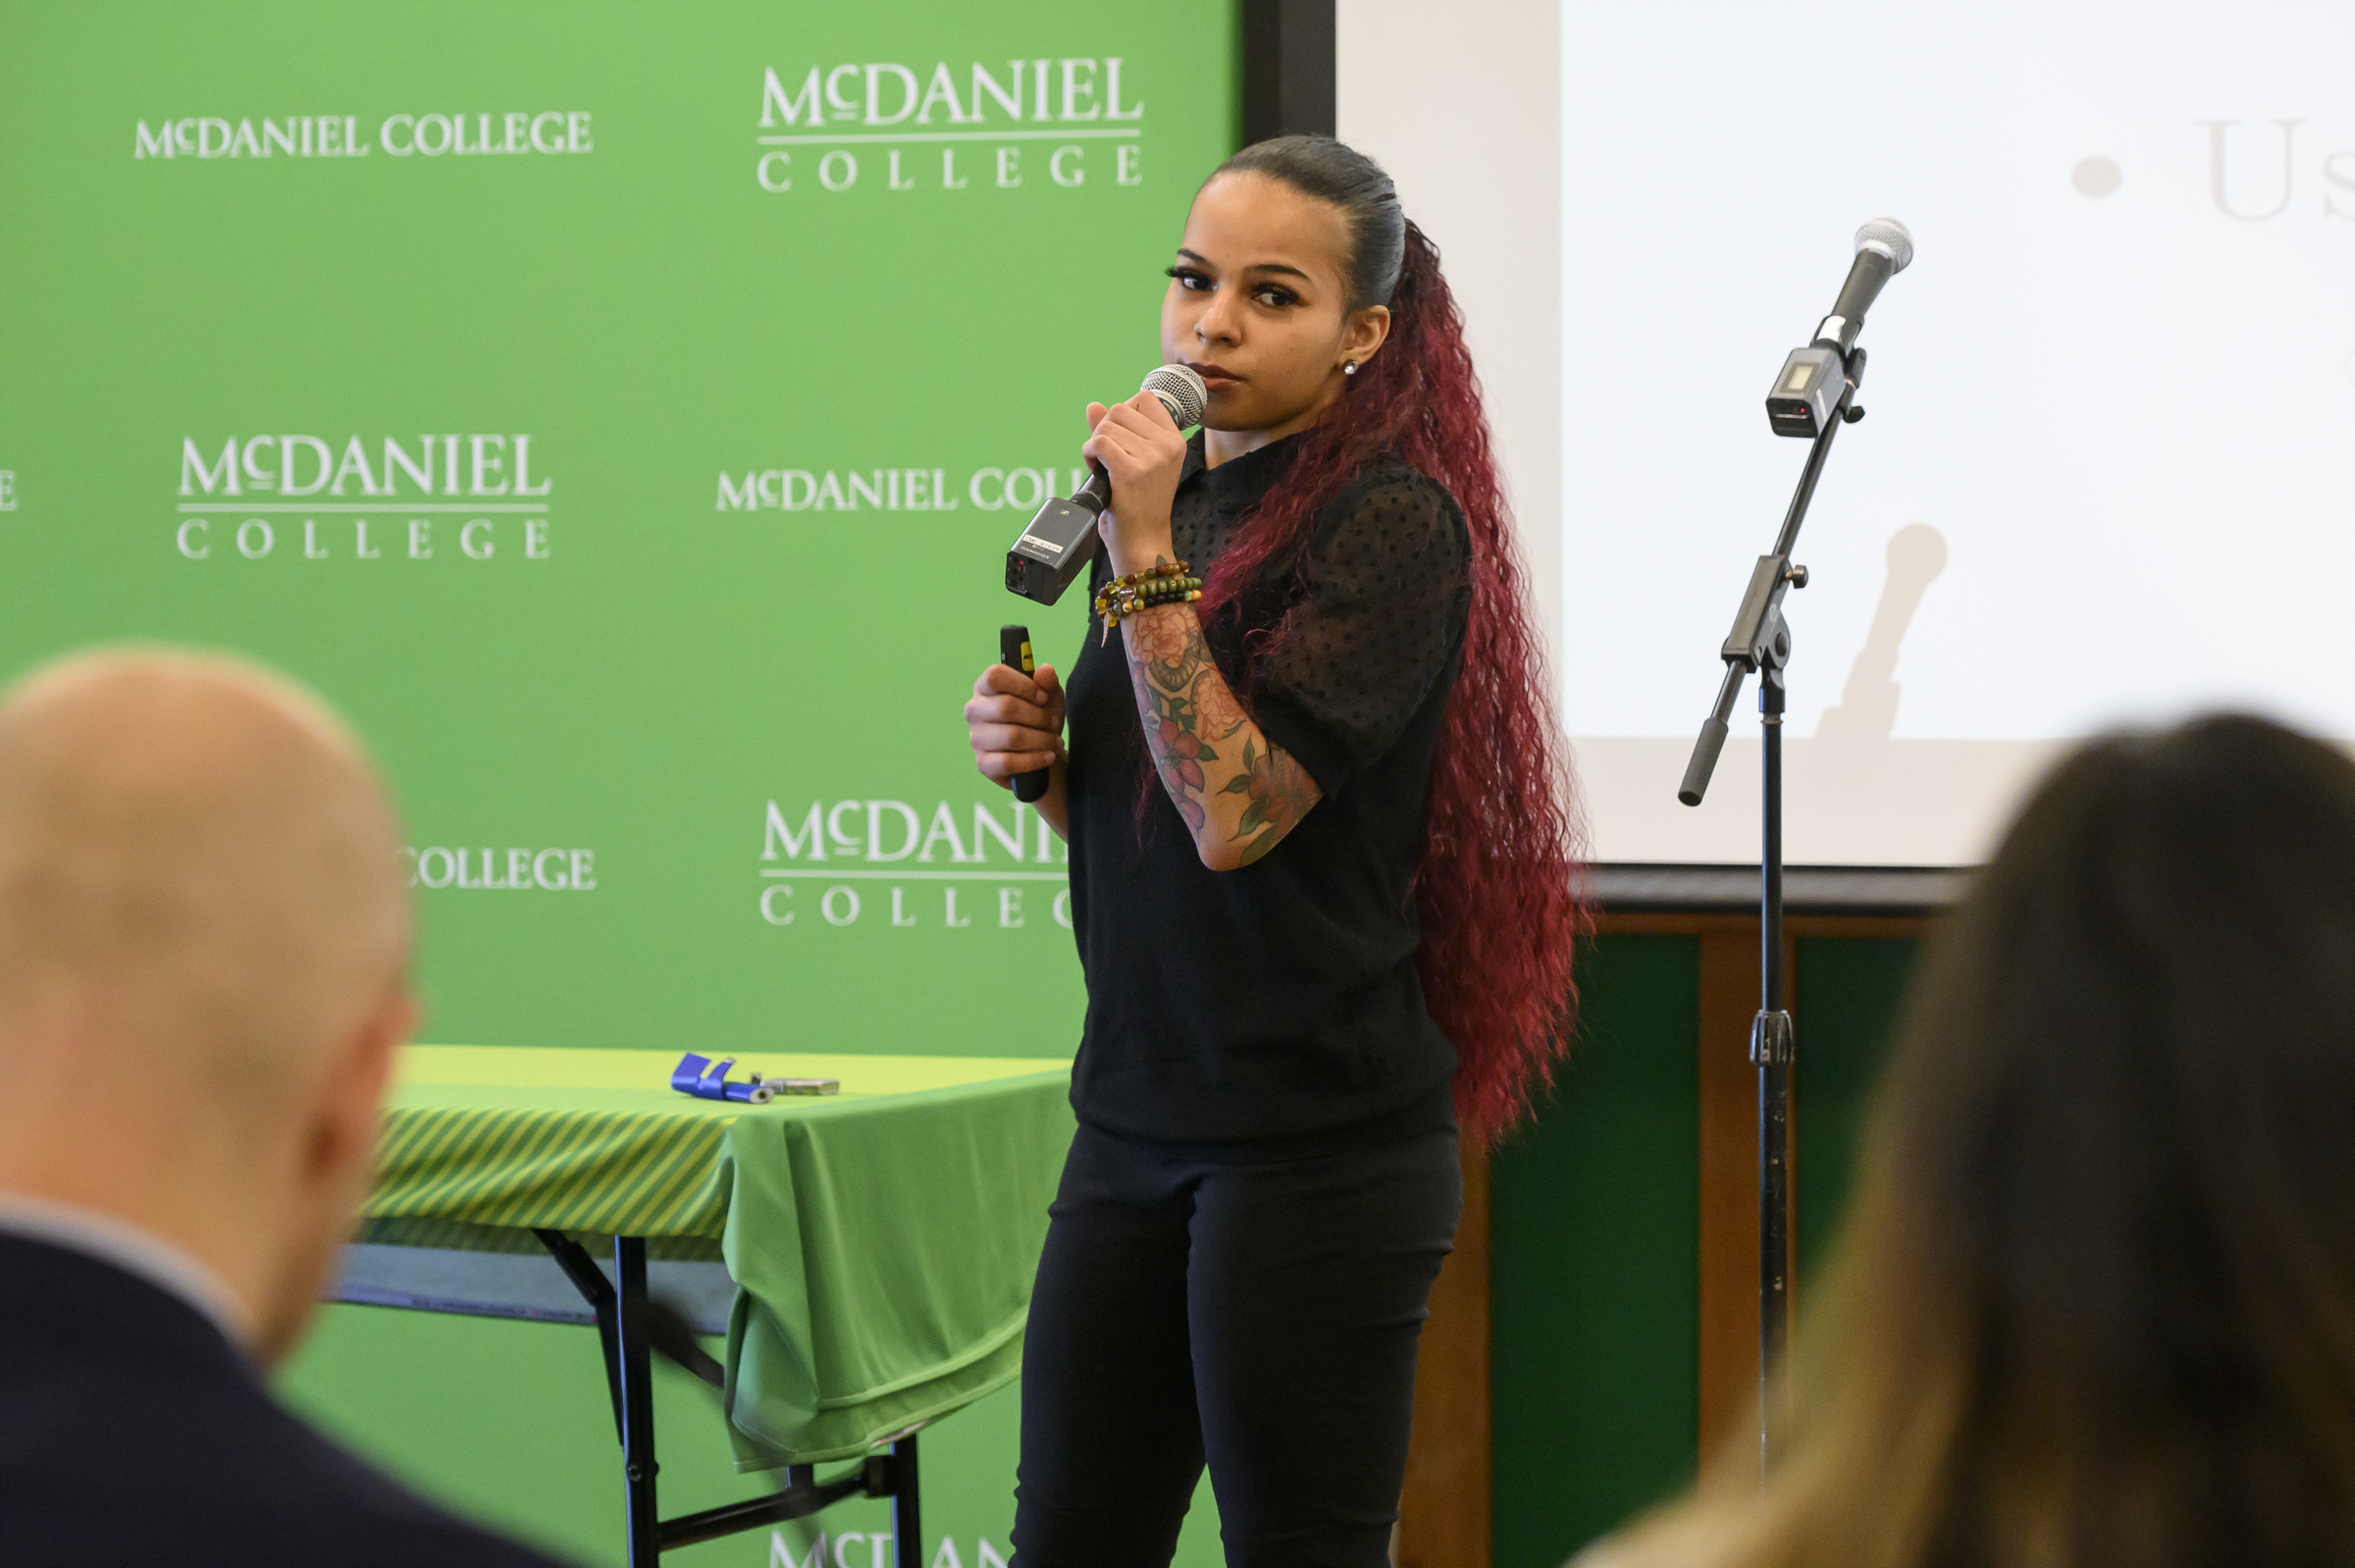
(1261, 1320)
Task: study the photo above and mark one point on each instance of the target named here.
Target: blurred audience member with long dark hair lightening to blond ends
(2097, 1294)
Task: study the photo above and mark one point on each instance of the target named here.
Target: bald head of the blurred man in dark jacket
(204, 966)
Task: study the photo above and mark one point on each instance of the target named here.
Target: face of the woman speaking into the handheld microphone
(1259, 305)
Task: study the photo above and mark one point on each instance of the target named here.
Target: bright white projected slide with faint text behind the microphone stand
(2109, 460)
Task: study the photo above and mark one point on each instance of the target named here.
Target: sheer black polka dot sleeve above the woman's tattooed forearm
(1386, 594)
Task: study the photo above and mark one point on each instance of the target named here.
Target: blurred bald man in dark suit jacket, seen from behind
(204, 978)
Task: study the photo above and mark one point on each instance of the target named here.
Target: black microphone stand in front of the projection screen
(1760, 646)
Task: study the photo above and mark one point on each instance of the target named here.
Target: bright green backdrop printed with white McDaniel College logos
(621, 413)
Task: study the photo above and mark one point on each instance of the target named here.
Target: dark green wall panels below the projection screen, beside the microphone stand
(1596, 1289)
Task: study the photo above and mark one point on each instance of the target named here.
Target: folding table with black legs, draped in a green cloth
(868, 1254)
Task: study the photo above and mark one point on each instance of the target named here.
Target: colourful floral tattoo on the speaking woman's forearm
(1228, 780)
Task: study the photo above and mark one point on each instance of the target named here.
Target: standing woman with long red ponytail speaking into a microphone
(1322, 882)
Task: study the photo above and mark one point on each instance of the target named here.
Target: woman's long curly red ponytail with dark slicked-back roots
(1497, 886)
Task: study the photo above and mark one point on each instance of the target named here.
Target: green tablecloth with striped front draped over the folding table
(884, 1240)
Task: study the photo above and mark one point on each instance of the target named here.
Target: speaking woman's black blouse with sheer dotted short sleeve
(1275, 1011)
